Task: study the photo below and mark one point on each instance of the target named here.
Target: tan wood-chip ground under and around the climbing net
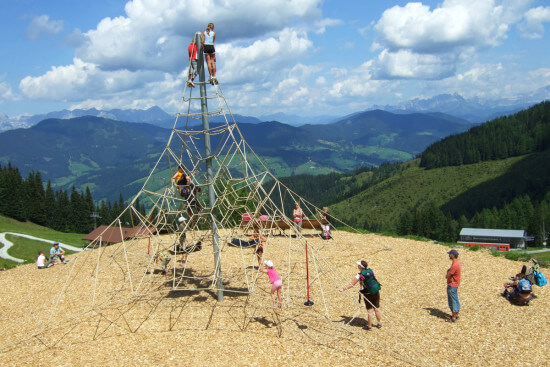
(193, 328)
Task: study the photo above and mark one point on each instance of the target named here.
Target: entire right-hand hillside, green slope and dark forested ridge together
(436, 195)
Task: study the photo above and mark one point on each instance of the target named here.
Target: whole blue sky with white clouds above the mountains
(294, 56)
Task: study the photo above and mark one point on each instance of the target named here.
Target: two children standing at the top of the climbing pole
(208, 38)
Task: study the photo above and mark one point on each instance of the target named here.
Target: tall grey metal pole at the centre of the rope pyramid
(209, 175)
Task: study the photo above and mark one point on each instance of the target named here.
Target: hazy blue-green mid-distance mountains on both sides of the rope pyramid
(112, 156)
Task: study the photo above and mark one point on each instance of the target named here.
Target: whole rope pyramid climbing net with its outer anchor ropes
(207, 229)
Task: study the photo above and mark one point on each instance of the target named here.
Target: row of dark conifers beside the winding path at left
(28, 199)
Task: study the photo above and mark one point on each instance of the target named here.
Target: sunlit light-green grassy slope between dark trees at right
(415, 187)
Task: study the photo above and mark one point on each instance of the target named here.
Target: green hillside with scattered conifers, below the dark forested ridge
(408, 199)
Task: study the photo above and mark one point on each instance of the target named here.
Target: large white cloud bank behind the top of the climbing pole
(142, 56)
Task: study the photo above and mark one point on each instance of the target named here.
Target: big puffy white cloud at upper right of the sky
(418, 42)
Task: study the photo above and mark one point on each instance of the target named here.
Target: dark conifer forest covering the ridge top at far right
(524, 132)
